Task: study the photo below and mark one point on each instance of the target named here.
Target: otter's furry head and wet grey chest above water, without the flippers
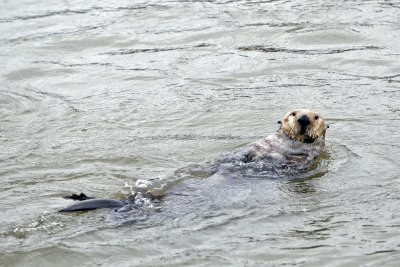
(292, 146)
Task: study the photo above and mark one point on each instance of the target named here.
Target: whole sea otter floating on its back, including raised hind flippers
(292, 148)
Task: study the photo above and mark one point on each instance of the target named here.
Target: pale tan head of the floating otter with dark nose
(304, 125)
